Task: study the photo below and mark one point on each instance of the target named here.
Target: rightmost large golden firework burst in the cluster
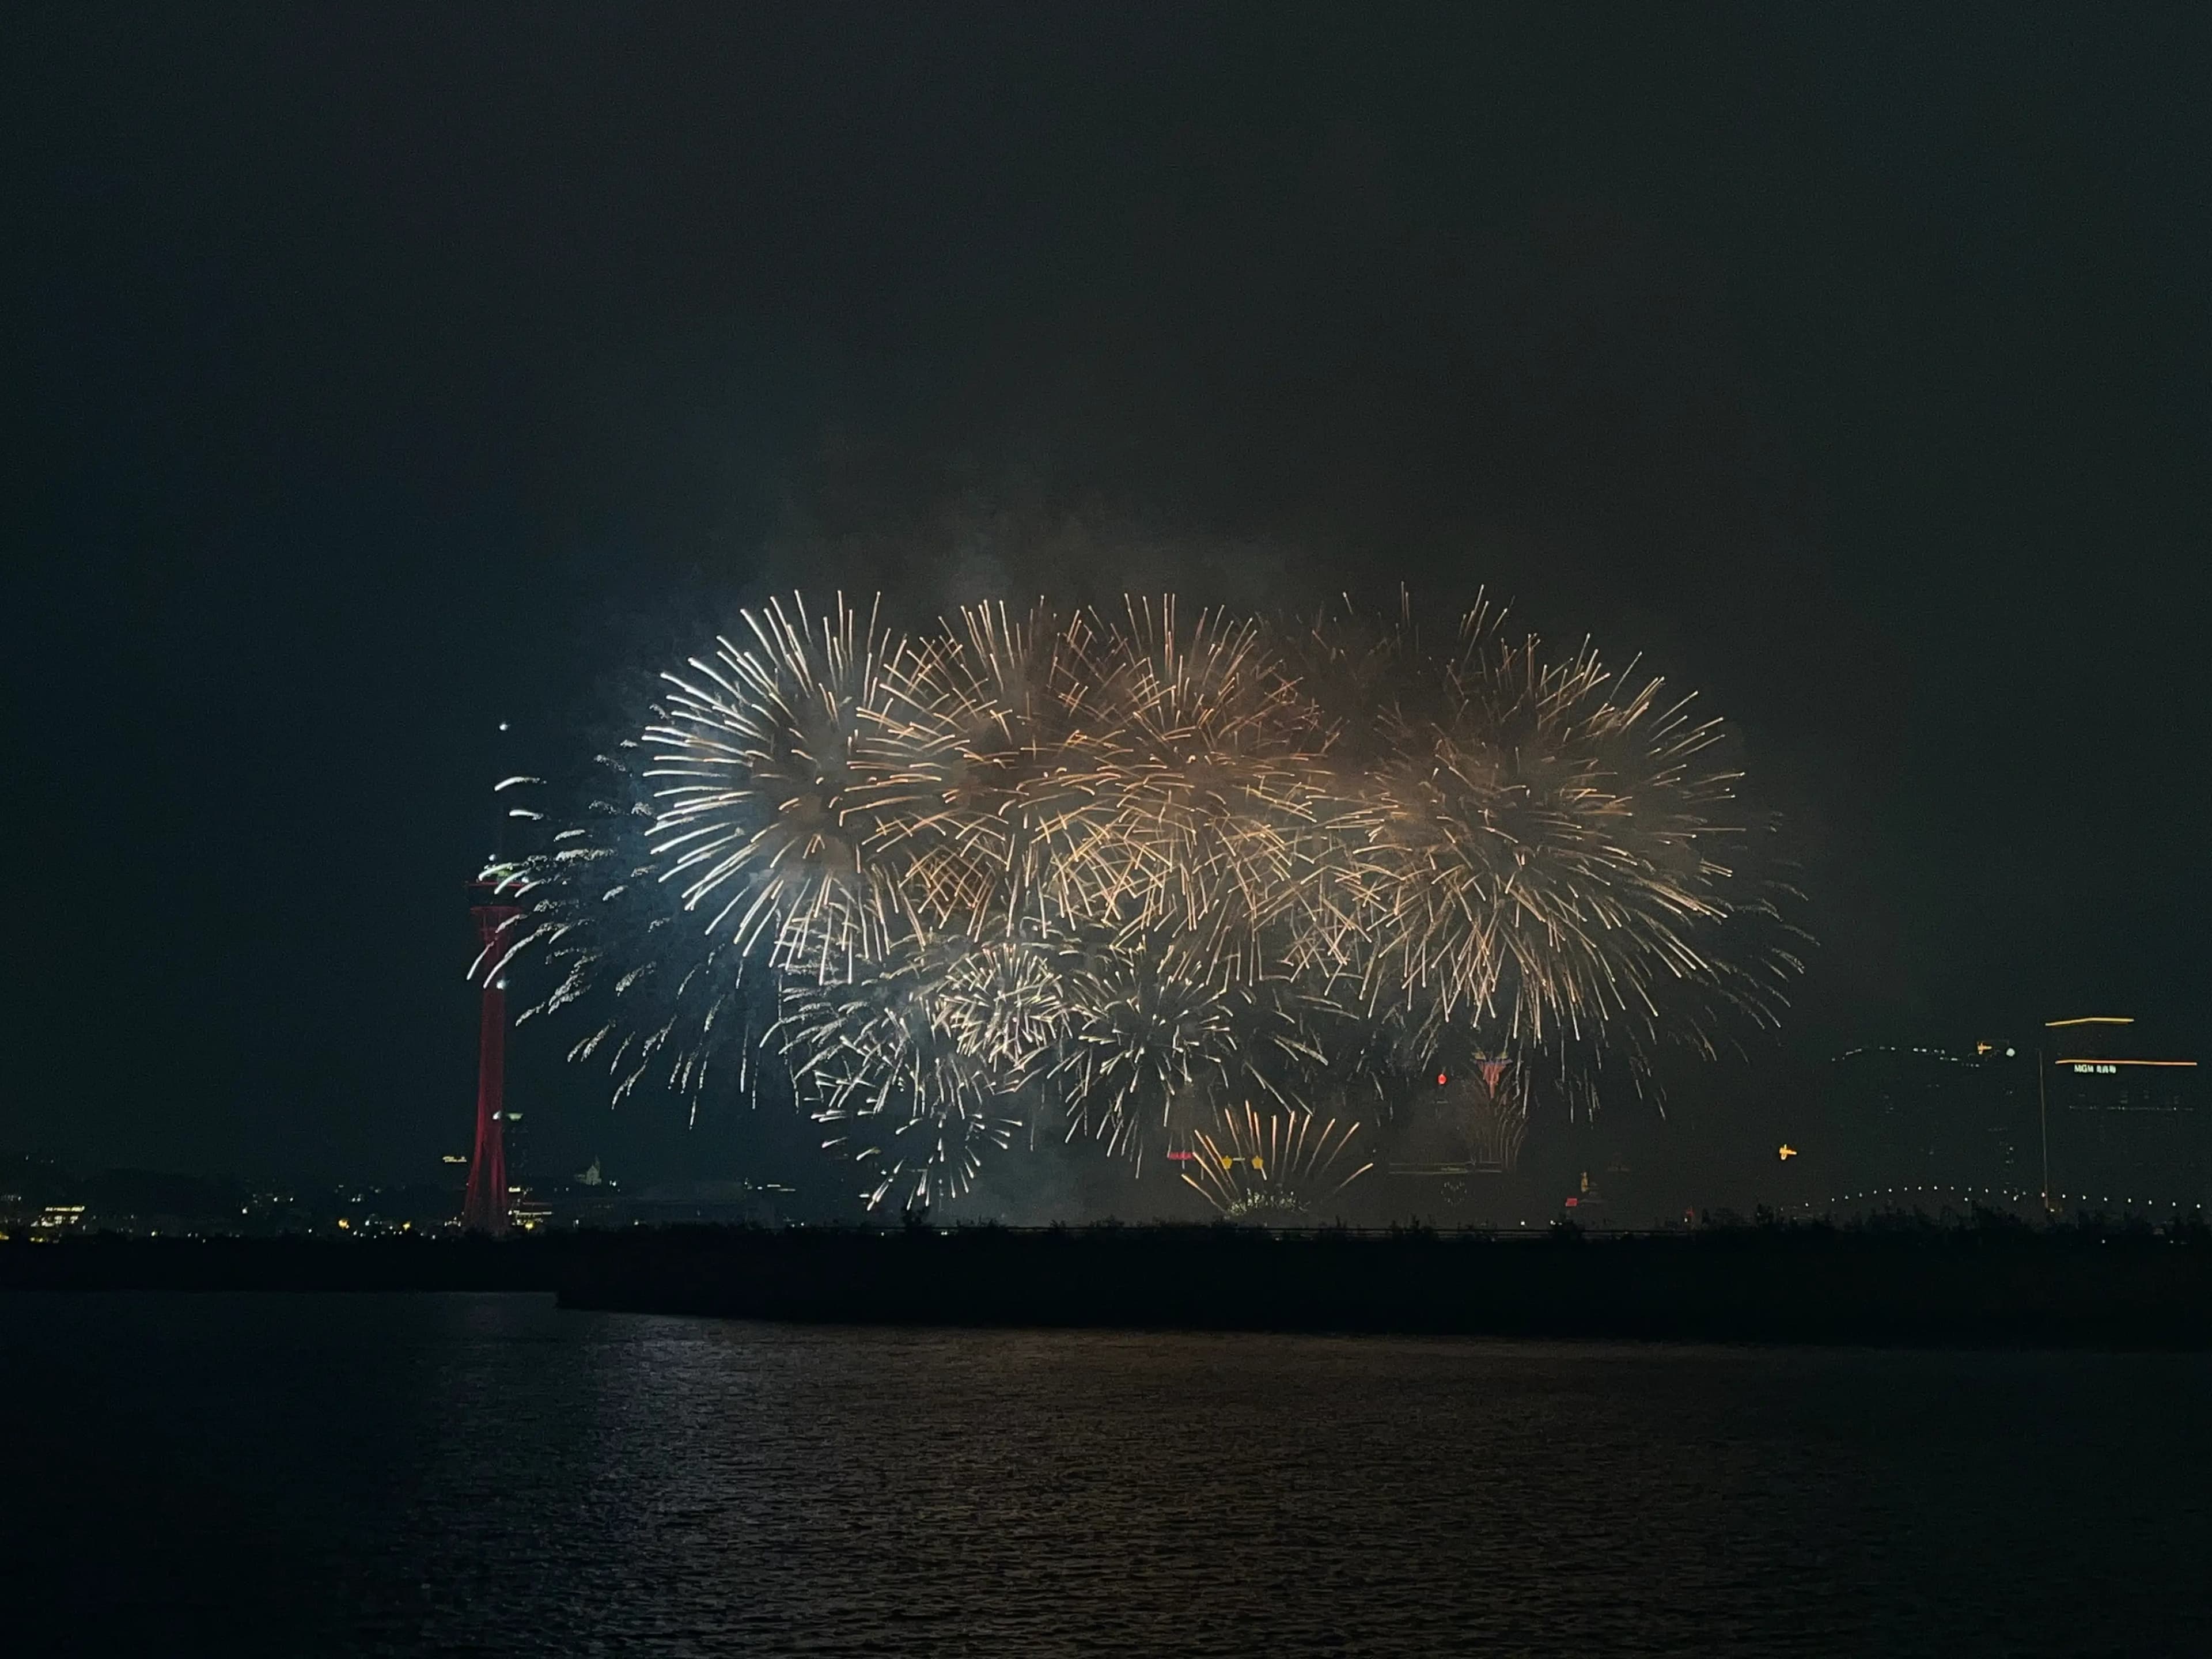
(1530, 851)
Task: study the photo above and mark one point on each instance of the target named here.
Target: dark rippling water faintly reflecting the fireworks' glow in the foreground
(488, 1474)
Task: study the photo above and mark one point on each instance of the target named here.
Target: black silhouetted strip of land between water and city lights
(2080, 1286)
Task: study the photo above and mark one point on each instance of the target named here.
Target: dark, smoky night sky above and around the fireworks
(384, 375)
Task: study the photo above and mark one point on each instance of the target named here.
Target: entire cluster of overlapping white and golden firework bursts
(1134, 870)
